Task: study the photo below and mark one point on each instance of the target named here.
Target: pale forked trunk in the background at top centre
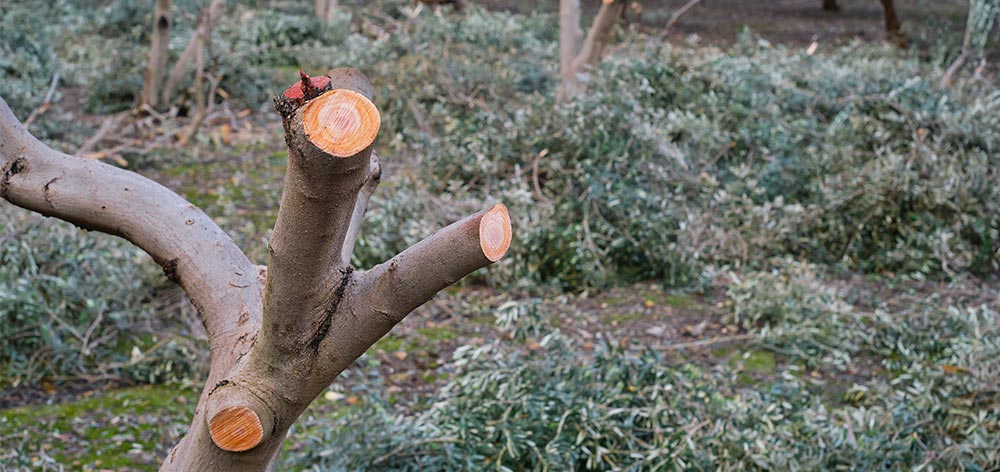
(578, 54)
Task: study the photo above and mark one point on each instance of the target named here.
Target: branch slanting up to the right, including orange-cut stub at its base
(359, 311)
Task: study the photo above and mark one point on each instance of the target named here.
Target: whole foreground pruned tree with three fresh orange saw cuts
(280, 334)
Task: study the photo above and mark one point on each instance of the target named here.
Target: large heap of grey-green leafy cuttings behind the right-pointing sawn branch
(677, 158)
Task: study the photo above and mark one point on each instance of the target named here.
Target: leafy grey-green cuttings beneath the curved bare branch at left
(74, 304)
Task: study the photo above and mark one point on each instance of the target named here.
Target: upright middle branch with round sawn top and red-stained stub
(329, 146)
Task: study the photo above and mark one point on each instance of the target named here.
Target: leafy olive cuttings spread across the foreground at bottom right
(557, 406)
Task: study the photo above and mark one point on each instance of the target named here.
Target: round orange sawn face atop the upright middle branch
(341, 122)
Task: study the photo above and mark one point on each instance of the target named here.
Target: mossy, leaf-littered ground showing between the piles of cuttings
(90, 420)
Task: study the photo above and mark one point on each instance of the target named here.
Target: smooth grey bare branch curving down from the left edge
(193, 250)
